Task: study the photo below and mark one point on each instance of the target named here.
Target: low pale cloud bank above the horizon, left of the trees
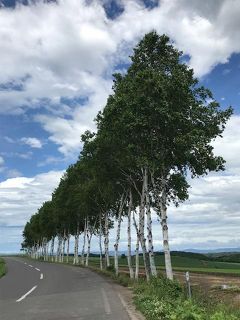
(20, 197)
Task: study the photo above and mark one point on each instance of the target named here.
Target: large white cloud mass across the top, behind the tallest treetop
(73, 47)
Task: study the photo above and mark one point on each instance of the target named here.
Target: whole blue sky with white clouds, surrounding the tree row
(56, 62)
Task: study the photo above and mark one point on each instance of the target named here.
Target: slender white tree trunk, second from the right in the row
(149, 227)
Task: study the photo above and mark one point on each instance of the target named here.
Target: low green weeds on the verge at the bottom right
(165, 300)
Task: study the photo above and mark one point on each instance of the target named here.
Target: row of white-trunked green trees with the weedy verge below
(156, 129)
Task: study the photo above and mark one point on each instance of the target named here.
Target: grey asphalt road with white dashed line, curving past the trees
(33, 290)
